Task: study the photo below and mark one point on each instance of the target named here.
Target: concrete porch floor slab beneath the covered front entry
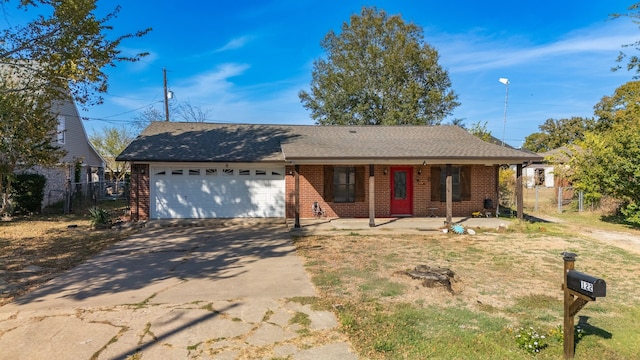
(404, 225)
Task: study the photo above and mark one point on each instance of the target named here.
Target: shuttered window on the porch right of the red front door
(460, 183)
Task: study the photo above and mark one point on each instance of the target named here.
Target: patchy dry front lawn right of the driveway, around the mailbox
(506, 284)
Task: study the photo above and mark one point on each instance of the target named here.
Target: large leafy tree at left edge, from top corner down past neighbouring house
(59, 54)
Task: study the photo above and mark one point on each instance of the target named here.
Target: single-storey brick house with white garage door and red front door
(203, 170)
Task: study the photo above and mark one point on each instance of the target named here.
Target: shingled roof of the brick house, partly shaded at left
(205, 142)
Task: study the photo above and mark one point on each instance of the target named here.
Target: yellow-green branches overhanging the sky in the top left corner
(65, 50)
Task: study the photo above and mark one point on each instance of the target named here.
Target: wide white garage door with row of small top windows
(222, 192)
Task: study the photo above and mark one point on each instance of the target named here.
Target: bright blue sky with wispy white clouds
(246, 61)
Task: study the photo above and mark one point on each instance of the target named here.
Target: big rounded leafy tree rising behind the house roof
(378, 71)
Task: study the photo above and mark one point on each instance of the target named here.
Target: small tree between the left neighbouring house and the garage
(109, 144)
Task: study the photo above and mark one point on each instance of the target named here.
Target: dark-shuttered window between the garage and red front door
(344, 184)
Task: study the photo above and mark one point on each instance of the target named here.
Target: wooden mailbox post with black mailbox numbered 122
(579, 288)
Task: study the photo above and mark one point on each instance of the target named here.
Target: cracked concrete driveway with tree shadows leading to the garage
(197, 292)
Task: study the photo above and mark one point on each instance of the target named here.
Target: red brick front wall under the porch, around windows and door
(483, 186)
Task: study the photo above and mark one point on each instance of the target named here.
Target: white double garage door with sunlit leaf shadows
(217, 197)
